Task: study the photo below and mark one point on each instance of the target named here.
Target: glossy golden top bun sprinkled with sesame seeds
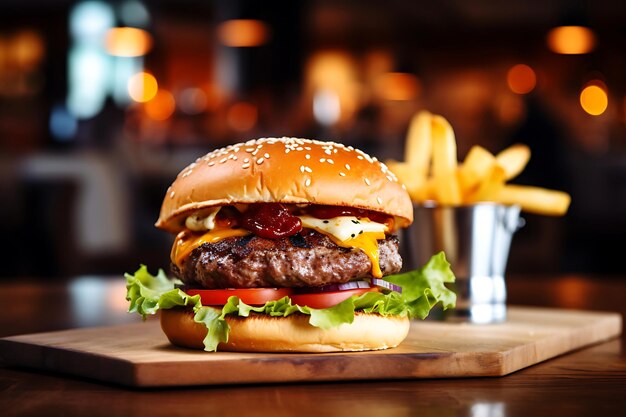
(285, 170)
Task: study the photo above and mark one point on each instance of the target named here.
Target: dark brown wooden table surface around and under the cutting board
(588, 382)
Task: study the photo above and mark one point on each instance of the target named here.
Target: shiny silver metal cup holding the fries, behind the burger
(476, 240)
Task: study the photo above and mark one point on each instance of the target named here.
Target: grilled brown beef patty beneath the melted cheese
(306, 259)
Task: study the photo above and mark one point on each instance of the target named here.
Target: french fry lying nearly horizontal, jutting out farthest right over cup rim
(534, 199)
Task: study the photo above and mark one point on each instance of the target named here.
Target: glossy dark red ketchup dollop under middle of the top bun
(270, 221)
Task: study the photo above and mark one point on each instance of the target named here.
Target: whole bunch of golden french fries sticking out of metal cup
(431, 172)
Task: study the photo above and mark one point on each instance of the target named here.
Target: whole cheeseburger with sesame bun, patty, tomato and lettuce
(287, 245)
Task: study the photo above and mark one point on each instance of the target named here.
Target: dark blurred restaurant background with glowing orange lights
(103, 102)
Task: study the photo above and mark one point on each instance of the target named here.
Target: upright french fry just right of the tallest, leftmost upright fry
(444, 163)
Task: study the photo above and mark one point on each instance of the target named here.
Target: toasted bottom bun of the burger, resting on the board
(261, 333)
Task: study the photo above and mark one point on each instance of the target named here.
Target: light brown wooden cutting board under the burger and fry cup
(140, 355)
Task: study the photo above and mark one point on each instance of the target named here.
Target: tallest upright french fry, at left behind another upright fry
(418, 145)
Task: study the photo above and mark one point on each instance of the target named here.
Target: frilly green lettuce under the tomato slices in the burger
(421, 290)
